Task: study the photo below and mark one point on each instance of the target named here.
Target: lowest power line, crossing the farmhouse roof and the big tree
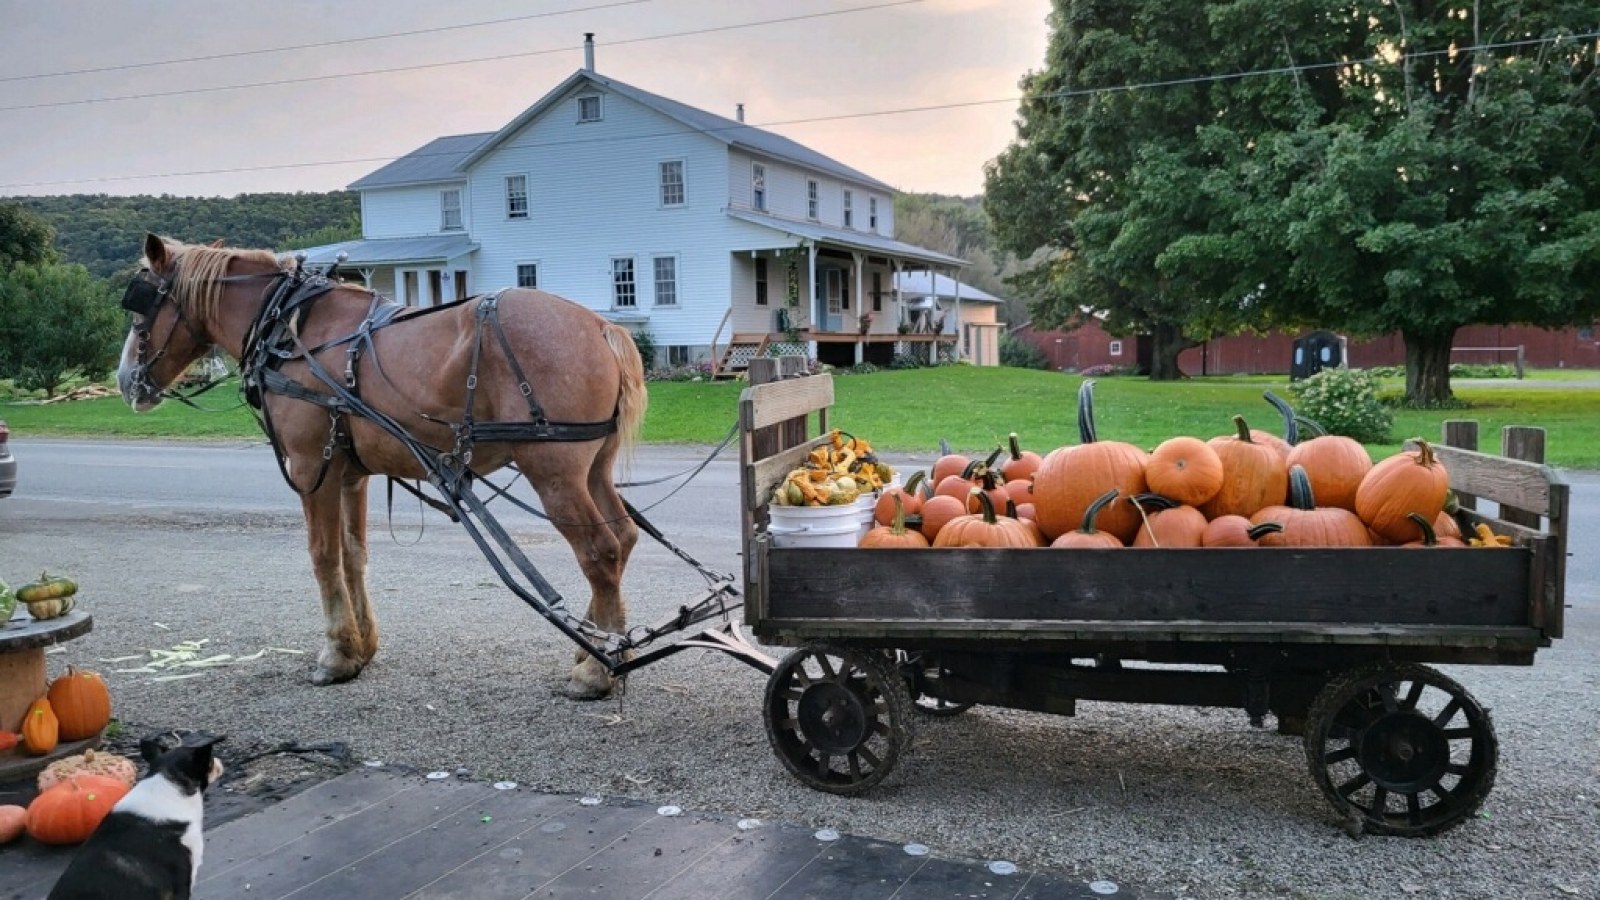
(849, 116)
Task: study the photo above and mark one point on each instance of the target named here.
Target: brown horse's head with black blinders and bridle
(175, 302)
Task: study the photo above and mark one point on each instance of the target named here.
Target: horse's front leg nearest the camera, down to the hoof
(342, 654)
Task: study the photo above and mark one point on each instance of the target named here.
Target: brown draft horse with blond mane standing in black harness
(582, 369)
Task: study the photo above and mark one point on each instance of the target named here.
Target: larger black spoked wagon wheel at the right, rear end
(1401, 749)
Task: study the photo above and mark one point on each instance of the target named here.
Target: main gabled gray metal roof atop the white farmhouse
(726, 131)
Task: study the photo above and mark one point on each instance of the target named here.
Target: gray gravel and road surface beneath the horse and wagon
(1191, 802)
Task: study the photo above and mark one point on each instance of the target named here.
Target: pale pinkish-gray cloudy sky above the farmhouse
(145, 98)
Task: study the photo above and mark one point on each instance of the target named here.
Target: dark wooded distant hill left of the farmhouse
(106, 235)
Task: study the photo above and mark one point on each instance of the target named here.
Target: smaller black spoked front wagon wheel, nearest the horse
(838, 718)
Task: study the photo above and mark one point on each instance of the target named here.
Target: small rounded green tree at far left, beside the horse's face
(55, 319)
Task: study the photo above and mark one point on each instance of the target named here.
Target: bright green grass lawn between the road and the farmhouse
(969, 408)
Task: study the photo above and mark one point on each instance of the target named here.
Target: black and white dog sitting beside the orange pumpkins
(151, 843)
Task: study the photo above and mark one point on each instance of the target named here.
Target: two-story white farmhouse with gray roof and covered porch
(716, 238)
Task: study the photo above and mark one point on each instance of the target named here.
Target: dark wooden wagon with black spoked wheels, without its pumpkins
(1338, 645)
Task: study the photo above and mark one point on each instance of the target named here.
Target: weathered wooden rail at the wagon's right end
(1529, 496)
